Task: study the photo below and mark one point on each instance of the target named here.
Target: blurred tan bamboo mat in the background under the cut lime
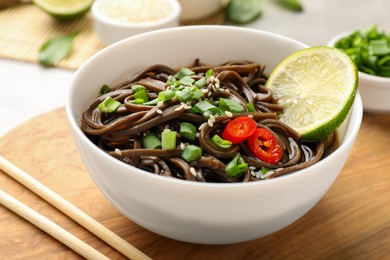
(24, 28)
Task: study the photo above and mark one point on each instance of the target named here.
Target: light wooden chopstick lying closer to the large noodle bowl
(70, 210)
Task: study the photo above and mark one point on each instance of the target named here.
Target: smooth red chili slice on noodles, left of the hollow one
(239, 129)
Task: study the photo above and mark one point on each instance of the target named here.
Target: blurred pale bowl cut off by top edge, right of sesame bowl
(197, 9)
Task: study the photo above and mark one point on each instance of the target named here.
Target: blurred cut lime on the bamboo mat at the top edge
(64, 9)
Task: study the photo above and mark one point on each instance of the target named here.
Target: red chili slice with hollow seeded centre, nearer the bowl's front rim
(265, 146)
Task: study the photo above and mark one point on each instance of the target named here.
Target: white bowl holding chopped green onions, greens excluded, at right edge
(374, 90)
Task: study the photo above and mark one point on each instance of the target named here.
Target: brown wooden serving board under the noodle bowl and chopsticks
(352, 221)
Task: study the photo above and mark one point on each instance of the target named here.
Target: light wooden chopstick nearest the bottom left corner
(49, 227)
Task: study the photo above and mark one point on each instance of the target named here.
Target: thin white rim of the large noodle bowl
(356, 109)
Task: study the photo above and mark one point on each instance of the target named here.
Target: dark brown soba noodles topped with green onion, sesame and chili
(200, 123)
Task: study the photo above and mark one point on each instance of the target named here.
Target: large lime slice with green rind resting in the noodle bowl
(317, 87)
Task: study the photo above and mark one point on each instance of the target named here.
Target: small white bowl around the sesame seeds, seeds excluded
(112, 29)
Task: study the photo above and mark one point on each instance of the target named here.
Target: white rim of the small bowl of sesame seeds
(128, 25)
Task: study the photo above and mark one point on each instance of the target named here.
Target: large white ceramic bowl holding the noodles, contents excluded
(190, 211)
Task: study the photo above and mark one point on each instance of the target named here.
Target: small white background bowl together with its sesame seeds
(115, 20)
